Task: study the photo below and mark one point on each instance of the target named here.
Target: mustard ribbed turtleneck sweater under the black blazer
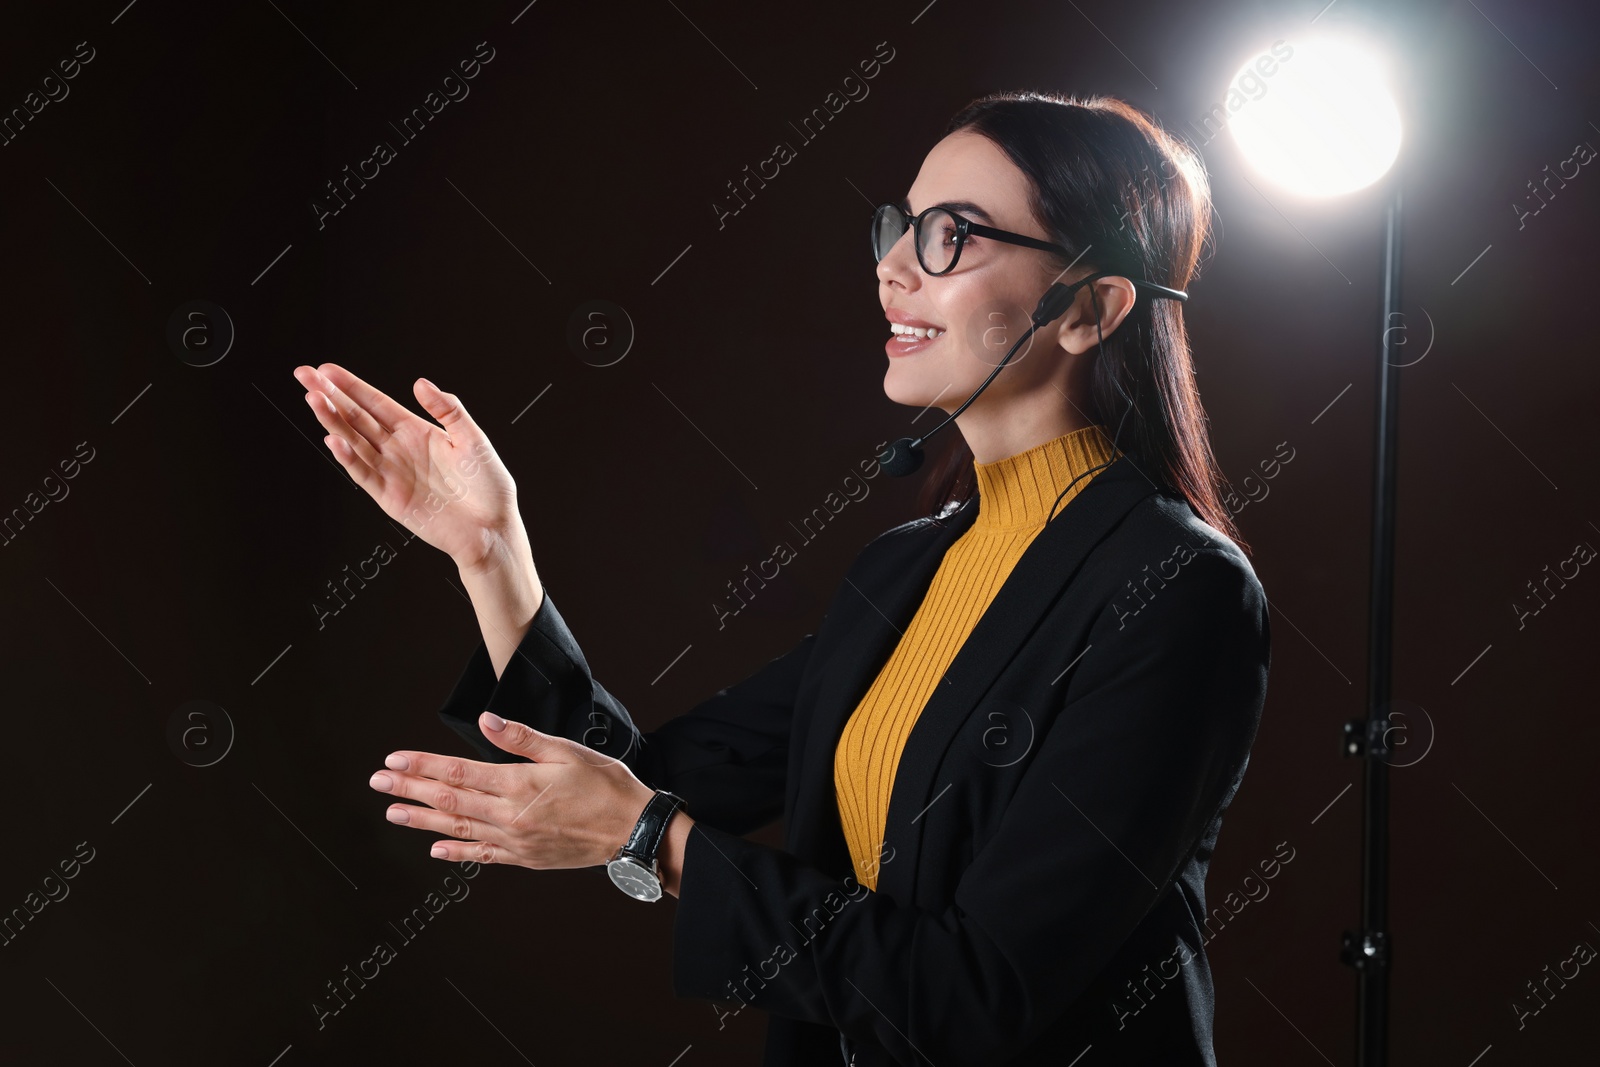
(1015, 495)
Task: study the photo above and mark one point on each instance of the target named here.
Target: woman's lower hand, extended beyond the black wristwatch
(572, 807)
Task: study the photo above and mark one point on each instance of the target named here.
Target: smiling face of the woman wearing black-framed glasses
(983, 306)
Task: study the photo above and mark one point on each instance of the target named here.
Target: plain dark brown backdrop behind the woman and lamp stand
(191, 549)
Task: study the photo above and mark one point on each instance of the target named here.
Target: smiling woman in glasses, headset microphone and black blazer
(1004, 756)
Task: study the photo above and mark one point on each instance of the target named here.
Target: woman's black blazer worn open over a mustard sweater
(1054, 813)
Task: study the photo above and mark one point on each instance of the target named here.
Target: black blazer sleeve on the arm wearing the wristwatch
(1150, 746)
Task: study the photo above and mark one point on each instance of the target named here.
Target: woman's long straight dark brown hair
(1111, 183)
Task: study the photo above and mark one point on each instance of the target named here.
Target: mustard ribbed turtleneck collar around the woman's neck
(1020, 490)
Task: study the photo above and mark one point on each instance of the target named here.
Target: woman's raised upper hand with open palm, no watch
(446, 486)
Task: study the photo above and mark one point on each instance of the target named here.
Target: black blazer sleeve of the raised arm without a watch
(727, 757)
